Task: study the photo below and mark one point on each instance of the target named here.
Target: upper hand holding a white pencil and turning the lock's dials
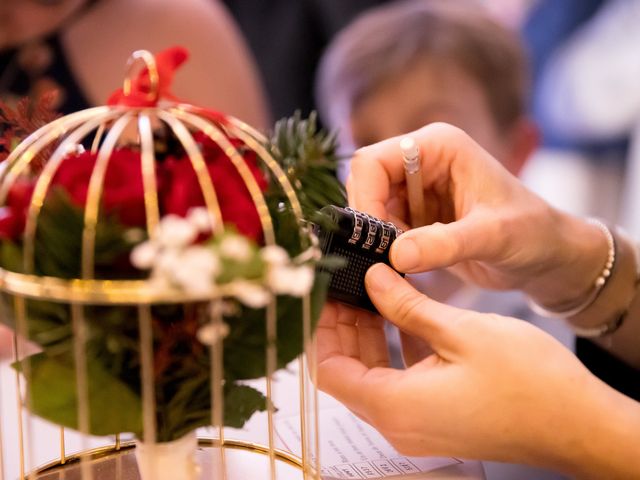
(485, 225)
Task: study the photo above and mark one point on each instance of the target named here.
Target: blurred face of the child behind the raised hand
(427, 93)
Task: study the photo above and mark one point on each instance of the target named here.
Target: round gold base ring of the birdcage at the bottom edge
(109, 463)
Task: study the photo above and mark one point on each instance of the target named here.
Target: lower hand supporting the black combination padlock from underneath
(495, 388)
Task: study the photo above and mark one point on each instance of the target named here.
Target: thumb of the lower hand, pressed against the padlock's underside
(413, 312)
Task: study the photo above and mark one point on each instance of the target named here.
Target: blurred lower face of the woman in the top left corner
(23, 20)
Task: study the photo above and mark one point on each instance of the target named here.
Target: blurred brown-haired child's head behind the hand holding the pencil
(411, 63)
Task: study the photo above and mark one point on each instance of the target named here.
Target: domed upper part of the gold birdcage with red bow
(83, 191)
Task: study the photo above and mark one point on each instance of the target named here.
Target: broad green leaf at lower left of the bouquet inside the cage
(52, 393)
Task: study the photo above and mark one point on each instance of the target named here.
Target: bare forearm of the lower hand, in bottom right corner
(580, 427)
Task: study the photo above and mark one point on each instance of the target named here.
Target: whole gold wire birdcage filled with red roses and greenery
(90, 328)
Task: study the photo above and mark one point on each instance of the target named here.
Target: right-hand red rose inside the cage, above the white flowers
(236, 204)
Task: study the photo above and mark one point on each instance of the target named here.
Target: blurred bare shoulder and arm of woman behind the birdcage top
(99, 45)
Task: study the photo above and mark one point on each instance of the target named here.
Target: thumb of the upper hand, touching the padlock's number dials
(442, 245)
